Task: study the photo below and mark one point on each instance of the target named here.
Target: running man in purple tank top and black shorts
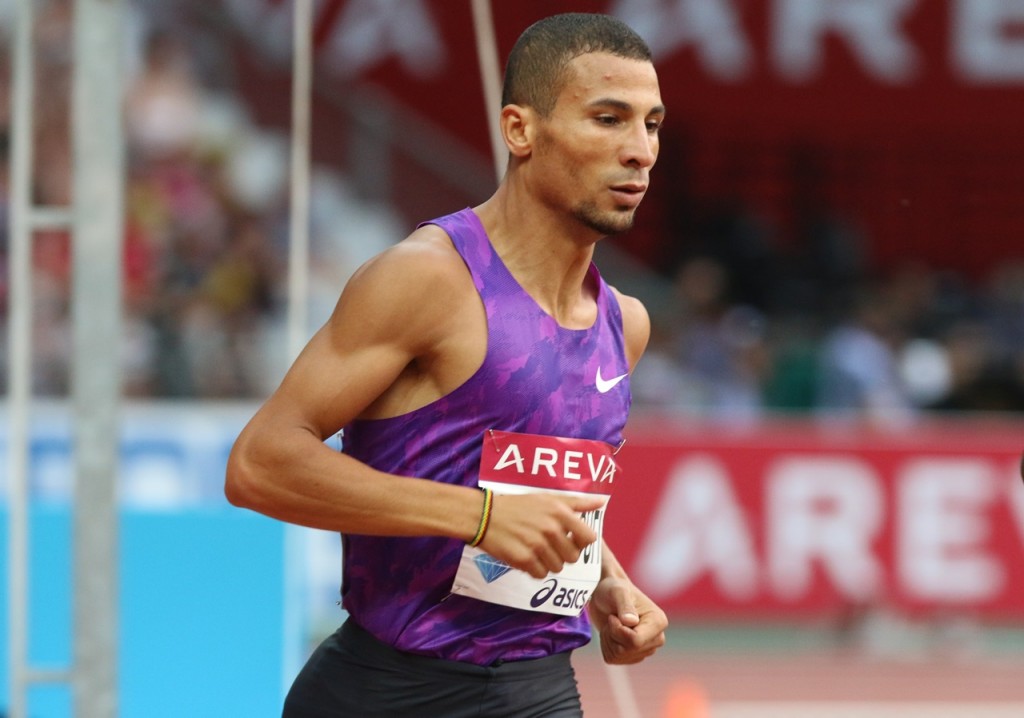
(484, 352)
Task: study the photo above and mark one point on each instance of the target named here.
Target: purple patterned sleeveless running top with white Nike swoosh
(537, 377)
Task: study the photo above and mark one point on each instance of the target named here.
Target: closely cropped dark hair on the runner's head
(538, 66)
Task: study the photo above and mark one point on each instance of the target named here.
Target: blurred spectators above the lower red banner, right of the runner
(751, 330)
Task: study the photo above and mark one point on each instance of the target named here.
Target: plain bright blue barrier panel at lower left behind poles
(201, 607)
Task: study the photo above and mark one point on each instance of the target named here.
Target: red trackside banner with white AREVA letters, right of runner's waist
(806, 519)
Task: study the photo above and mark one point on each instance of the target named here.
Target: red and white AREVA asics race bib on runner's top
(516, 463)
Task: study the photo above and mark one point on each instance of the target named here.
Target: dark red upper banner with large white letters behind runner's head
(827, 66)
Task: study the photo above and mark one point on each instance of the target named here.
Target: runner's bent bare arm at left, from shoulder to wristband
(381, 351)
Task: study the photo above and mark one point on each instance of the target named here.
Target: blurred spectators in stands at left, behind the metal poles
(206, 220)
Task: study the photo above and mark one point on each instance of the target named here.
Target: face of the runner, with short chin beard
(596, 149)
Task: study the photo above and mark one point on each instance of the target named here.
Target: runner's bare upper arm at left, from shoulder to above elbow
(379, 354)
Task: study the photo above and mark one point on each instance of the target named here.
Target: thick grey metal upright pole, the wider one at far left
(98, 137)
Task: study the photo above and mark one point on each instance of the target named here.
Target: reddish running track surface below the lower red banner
(823, 683)
